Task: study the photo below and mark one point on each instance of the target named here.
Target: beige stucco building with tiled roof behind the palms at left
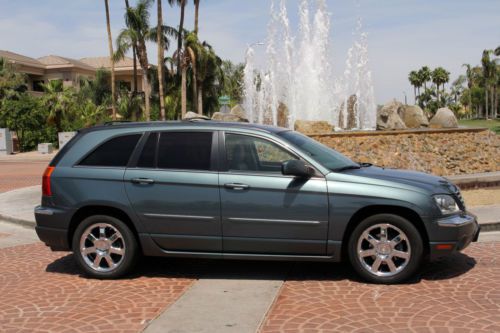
(53, 67)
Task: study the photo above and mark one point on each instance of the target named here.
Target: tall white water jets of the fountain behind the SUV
(298, 81)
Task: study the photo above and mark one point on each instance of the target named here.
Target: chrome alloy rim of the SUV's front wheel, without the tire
(383, 250)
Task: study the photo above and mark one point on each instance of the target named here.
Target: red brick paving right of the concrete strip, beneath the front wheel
(457, 294)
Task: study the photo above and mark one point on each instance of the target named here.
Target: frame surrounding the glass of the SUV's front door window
(223, 161)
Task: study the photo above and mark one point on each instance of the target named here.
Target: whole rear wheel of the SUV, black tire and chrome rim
(104, 247)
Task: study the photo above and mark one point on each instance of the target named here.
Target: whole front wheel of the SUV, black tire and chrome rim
(385, 248)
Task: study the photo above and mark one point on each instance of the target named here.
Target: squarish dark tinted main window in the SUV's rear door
(185, 150)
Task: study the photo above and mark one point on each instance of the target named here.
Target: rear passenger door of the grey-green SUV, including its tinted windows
(173, 188)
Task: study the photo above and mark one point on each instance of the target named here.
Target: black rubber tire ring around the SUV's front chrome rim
(414, 238)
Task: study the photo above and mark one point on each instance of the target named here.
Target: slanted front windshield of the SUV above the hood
(327, 157)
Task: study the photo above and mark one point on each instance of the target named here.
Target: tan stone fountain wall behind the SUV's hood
(442, 152)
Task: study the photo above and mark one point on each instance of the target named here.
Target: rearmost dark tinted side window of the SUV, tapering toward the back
(115, 152)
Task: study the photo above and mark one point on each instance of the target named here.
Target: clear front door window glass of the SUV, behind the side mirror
(248, 153)
